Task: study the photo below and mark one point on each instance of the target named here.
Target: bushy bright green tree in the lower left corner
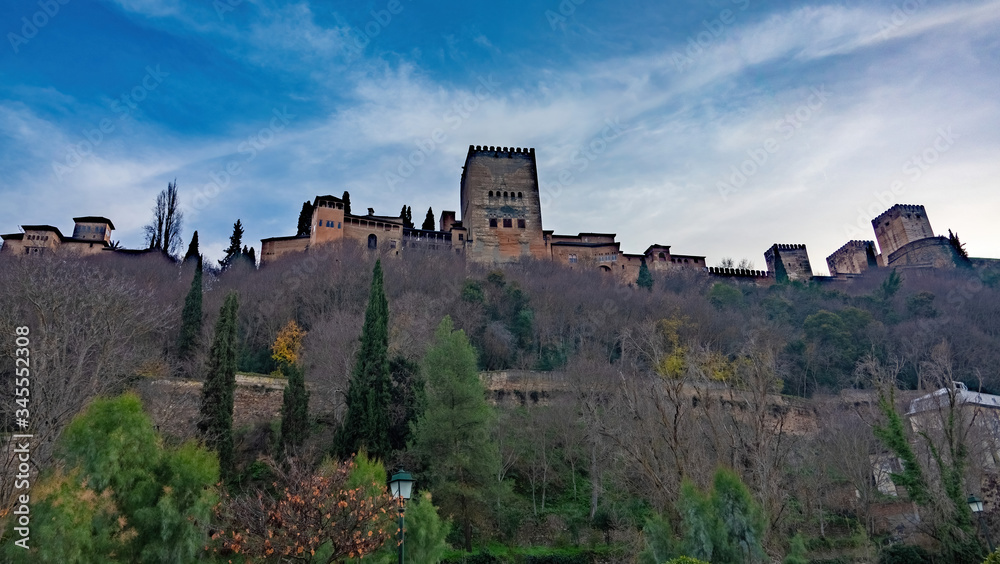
(125, 497)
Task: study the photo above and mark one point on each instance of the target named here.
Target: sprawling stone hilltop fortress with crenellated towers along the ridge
(501, 222)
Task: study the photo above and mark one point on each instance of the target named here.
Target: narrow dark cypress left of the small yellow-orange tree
(216, 421)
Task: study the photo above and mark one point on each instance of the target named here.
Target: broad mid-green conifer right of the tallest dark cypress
(452, 436)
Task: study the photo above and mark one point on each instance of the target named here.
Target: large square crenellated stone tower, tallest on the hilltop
(500, 205)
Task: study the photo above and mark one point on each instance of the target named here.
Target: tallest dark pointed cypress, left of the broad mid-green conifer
(369, 392)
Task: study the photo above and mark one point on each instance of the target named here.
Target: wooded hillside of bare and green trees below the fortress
(609, 408)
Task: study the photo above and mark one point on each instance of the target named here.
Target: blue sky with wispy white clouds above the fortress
(717, 127)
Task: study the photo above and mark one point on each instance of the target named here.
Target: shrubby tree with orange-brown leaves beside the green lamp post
(316, 517)
